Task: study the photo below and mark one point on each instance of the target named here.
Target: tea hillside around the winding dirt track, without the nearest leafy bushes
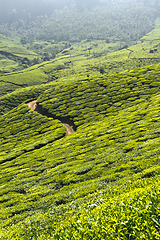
(40, 168)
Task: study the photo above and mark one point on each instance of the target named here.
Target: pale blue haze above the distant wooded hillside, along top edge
(12, 11)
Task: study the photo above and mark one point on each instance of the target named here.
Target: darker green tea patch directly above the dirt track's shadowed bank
(91, 99)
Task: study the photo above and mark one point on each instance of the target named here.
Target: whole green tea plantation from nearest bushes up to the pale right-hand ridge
(102, 181)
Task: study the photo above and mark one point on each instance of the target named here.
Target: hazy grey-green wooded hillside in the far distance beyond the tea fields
(117, 23)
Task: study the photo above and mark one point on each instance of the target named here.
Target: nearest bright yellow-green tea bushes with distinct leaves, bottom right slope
(127, 210)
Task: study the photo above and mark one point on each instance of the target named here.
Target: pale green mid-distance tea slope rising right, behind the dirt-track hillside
(85, 59)
